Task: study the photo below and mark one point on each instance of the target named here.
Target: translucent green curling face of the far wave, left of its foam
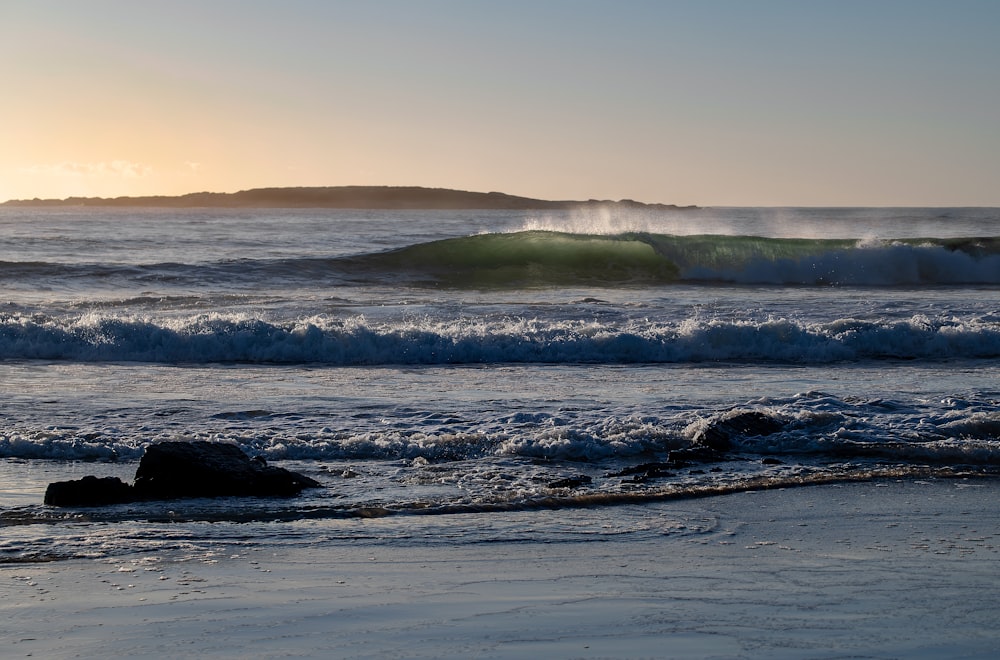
(532, 258)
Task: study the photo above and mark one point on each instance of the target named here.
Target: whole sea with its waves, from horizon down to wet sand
(424, 364)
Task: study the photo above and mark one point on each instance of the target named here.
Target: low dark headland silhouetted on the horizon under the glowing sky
(342, 197)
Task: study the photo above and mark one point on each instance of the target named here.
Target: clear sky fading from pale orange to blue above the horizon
(710, 102)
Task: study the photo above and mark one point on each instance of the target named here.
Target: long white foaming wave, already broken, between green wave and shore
(220, 338)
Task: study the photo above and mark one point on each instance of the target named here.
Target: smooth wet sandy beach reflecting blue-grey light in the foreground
(869, 570)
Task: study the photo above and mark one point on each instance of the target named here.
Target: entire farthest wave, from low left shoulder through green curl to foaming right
(546, 258)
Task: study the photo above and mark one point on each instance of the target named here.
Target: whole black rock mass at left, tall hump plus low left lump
(174, 470)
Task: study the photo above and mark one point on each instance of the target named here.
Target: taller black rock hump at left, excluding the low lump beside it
(170, 470)
